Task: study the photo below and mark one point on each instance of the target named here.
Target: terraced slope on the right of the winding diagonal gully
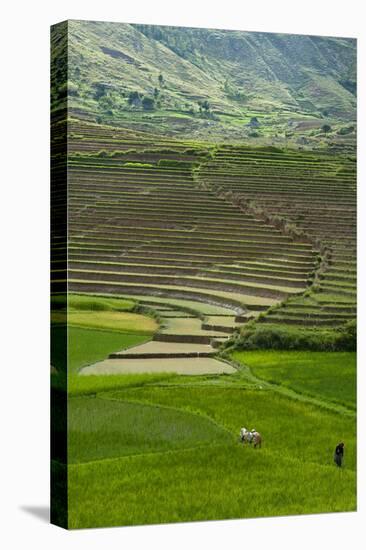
(313, 195)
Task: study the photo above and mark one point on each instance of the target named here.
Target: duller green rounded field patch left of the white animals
(101, 428)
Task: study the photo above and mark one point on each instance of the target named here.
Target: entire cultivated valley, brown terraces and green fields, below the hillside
(204, 238)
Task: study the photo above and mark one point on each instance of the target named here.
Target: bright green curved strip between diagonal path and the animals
(236, 406)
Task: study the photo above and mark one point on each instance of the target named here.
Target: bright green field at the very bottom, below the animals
(204, 484)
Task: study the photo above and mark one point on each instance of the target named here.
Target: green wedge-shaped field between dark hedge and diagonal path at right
(331, 376)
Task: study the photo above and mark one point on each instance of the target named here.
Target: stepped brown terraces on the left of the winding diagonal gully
(144, 222)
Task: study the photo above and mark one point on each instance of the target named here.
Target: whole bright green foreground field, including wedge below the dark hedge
(171, 440)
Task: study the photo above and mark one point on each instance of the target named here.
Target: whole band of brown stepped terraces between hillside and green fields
(230, 227)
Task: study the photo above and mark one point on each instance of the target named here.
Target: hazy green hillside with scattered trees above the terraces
(211, 83)
